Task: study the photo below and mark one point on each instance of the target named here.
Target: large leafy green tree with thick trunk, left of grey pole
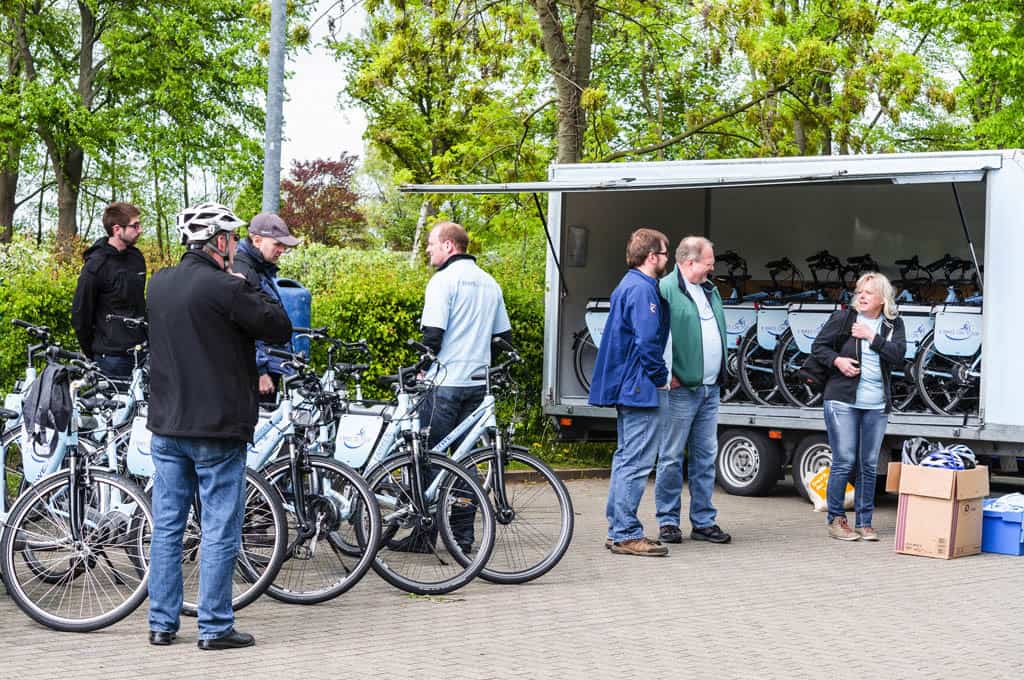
(118, 80)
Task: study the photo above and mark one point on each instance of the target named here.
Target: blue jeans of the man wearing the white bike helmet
(216, 469)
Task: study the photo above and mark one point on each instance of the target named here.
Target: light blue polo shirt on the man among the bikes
(466, 303)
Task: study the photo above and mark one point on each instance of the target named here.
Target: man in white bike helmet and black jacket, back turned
(204, 322)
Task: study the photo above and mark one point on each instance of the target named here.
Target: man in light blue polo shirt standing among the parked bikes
(463, 311)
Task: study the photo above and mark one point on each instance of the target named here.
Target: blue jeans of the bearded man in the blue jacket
(639, 439)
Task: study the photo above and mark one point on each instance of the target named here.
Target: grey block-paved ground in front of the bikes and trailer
(783, 602)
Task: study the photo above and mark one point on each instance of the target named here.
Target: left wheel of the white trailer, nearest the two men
(749, 463)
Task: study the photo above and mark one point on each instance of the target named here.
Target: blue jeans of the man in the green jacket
(692, 427)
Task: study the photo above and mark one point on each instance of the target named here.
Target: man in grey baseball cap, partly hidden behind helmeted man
(257, 260)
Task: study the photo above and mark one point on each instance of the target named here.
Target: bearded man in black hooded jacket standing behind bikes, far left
(112, 282)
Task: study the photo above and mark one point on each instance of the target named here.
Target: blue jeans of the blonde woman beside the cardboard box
(856, 437)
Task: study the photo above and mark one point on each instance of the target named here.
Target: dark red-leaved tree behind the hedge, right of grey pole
(318, 202)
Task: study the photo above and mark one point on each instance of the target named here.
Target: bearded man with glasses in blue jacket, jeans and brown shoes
(630, 374)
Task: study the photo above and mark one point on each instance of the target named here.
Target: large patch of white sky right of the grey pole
(316, 125)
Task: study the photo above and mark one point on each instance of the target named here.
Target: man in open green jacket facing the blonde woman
(698, 332)
